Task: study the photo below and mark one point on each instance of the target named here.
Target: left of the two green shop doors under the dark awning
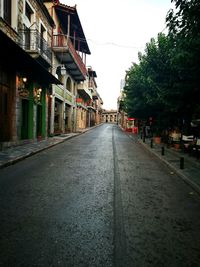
(25, 116)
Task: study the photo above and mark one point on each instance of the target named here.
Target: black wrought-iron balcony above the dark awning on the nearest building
(33, 43)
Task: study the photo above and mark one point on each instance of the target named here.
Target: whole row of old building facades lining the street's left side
(45, 87)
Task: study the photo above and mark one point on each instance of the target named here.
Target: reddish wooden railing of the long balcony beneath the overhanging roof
(61, 41)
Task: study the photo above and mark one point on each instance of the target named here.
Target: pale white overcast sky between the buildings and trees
(116, 31)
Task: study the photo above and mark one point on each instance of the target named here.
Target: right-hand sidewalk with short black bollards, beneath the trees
(190, 172)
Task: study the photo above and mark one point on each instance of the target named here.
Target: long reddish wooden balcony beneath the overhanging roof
(67, 55)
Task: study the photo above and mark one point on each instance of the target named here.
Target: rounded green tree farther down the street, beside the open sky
(149, 84)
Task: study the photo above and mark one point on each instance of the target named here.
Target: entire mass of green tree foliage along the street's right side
(166, 82)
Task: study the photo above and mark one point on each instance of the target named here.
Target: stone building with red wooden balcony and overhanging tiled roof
(70, 49)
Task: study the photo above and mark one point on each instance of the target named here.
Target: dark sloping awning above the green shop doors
(16, 59)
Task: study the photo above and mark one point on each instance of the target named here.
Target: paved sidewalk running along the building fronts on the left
(14, 154)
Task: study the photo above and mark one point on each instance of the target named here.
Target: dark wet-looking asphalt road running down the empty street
(98, 199)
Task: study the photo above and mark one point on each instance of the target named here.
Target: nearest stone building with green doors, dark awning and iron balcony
(25, 59)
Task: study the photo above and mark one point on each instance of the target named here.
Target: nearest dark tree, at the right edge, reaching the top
(184, 29)
